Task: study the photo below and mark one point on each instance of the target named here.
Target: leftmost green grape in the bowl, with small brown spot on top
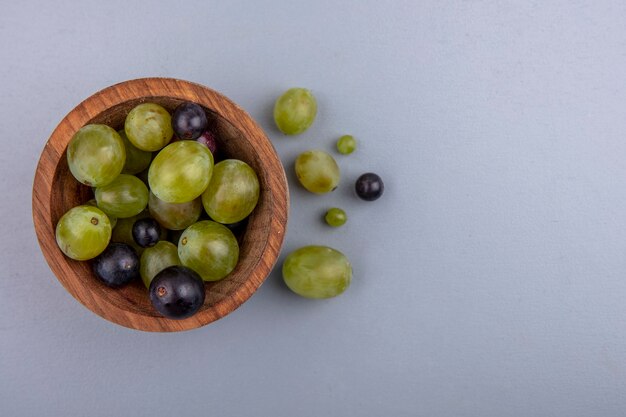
(83, 232)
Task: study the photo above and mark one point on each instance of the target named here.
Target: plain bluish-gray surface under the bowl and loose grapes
(489, 281)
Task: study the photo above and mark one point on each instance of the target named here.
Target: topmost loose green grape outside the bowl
(295, 111)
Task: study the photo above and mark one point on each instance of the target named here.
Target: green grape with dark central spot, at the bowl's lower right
(210, 249)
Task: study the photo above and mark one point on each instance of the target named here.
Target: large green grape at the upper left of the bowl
(96, 155)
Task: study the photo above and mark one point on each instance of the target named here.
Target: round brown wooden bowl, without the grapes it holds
(55, 191)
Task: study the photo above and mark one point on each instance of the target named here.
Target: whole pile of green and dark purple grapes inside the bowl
(154, 180)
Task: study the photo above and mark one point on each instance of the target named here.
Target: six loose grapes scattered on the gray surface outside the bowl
(319, 271)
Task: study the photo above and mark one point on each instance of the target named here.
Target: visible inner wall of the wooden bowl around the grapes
(66, 193)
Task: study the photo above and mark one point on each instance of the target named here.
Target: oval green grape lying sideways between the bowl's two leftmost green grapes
(126, 196)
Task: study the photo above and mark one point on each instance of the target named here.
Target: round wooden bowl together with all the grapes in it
(160, 204)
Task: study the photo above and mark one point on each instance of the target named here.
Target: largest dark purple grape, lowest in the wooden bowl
(177, 292)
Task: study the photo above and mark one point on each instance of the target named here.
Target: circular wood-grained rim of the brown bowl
(144, 88)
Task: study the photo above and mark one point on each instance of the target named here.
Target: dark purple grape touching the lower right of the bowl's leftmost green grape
(117, 265)
